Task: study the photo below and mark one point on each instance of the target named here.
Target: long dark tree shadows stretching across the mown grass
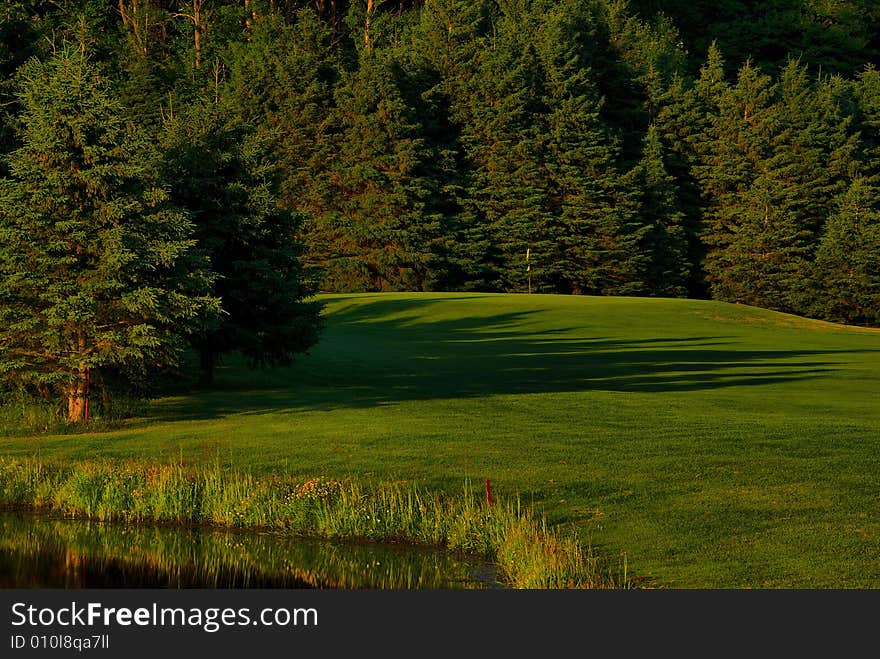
(389, 351)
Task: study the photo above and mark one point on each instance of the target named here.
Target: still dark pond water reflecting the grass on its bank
(45, 552)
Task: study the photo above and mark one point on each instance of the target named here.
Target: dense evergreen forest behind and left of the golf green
(187, 174)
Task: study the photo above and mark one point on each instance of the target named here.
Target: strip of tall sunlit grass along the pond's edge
(529, 554)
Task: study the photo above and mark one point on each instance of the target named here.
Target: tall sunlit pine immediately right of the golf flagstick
(592, 208)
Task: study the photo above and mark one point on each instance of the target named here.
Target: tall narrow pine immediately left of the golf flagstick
(504, 196)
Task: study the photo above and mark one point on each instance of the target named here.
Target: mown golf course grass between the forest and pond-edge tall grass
(718, 445)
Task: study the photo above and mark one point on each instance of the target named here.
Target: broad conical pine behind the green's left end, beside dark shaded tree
(373, 227)
